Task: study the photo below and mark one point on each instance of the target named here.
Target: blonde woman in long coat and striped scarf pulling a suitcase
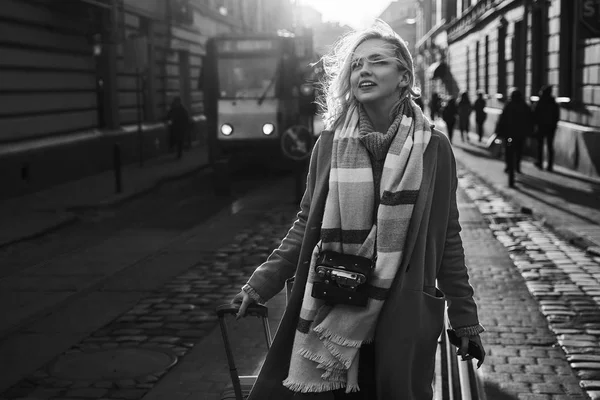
(378, 148)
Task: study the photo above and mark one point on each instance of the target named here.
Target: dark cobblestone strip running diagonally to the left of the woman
(170, 321)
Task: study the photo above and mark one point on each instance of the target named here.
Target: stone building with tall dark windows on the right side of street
(494, 45)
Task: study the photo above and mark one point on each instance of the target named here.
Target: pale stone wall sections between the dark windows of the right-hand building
(577, 142)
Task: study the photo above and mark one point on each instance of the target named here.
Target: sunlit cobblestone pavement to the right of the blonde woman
(538, 300)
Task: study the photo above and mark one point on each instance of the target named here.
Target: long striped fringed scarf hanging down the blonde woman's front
(328, 338)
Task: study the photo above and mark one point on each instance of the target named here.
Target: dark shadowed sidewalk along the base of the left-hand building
(33, 215)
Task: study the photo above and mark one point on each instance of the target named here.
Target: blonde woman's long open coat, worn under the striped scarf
(412, 317)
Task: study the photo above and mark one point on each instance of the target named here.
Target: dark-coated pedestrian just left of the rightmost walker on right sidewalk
(514, 125)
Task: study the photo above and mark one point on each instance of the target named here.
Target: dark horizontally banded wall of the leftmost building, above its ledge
(47, 72)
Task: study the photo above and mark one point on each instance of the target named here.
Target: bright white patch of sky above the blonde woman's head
(356, 13)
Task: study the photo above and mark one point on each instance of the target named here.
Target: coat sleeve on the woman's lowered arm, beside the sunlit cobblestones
(453, 277)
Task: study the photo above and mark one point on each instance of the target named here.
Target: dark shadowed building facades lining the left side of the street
(73, 73)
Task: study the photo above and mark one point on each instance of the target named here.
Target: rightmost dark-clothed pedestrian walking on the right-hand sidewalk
(546, 115)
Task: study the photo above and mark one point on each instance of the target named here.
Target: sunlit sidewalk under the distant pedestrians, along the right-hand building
(566, 202)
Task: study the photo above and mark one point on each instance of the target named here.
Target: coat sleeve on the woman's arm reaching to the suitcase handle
(269, 278)
